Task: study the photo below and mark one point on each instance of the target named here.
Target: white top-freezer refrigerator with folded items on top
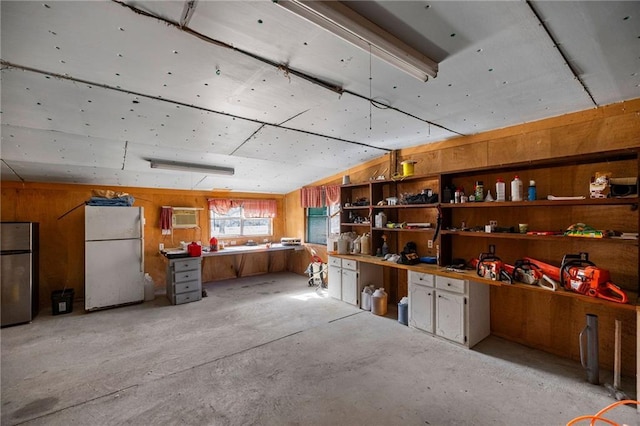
(114, 256)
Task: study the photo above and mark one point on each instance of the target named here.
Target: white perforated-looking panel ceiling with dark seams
(91, 90)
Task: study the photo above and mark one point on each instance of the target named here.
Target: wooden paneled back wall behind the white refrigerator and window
(59, 210)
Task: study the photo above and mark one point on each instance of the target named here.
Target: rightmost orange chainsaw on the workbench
(582, 276)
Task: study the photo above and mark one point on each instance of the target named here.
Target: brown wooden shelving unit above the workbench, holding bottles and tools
(560, 176)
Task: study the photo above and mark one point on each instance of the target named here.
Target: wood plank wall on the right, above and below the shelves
(524, 316)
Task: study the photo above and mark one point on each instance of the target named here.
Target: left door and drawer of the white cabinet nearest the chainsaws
(421, 295)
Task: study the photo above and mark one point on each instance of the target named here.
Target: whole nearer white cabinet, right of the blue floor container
(454, 309)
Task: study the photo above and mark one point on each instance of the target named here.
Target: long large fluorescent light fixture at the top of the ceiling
(345, 23)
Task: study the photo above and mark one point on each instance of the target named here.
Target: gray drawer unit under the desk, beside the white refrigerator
(184, 283)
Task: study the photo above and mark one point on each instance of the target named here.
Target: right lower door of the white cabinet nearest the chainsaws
(450, 316)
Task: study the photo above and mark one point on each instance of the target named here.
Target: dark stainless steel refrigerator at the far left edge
(19, 258)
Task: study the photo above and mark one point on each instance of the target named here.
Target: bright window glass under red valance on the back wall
(234, 224)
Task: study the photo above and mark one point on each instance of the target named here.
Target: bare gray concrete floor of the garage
(268, 350)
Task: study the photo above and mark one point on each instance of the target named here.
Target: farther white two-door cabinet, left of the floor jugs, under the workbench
(347, 278)
